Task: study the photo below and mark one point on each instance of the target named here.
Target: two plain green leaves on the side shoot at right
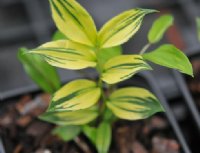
(166, 55)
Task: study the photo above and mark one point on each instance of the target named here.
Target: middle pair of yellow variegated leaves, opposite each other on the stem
(68, 54)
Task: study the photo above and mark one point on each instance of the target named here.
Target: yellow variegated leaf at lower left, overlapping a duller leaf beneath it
(76, 95)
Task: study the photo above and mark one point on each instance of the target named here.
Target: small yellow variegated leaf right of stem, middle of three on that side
(122, 67)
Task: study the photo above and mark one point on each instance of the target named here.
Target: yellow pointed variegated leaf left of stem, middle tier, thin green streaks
(67, 54)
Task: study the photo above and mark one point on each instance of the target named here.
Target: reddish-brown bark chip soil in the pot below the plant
(22, 132)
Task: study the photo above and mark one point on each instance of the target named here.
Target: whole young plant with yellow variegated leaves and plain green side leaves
(91, 106)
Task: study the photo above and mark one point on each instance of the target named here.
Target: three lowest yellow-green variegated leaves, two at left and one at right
(72, 104)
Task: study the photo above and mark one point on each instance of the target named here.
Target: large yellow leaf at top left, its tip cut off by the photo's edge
(74, 21)
